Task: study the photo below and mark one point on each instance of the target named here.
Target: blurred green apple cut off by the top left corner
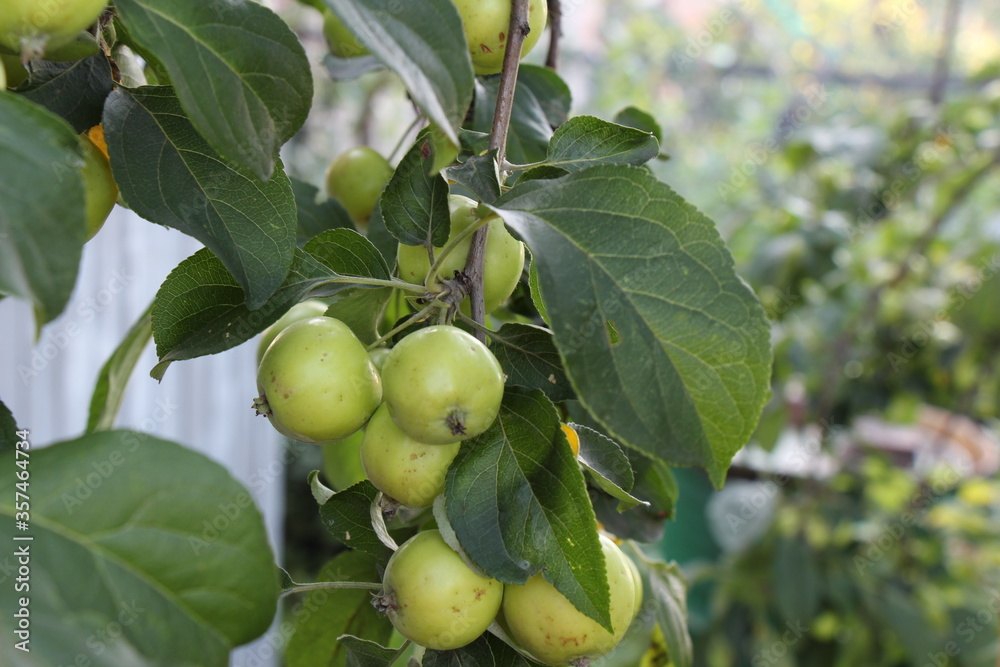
(31, 26)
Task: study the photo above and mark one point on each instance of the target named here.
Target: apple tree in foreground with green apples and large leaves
(519, 296)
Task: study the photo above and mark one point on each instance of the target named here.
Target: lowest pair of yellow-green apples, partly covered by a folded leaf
(437, 600)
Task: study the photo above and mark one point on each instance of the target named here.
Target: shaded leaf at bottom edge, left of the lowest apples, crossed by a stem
(326, 614)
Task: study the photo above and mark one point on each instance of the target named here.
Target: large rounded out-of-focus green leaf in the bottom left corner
(125, 559)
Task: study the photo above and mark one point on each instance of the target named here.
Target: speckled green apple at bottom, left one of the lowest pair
(433, 598)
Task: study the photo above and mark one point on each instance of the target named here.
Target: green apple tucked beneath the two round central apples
(408, 471)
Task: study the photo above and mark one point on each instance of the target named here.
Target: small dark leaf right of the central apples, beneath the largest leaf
(529, 358)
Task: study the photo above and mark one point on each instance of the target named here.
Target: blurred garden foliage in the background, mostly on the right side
(850, 152)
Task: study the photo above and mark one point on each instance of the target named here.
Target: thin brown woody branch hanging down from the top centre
(519, 29)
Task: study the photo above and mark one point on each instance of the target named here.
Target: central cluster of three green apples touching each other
(402, 412)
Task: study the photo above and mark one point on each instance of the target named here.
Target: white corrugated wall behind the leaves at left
(203, 403)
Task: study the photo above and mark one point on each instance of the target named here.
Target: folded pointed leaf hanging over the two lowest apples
(518, 503)
